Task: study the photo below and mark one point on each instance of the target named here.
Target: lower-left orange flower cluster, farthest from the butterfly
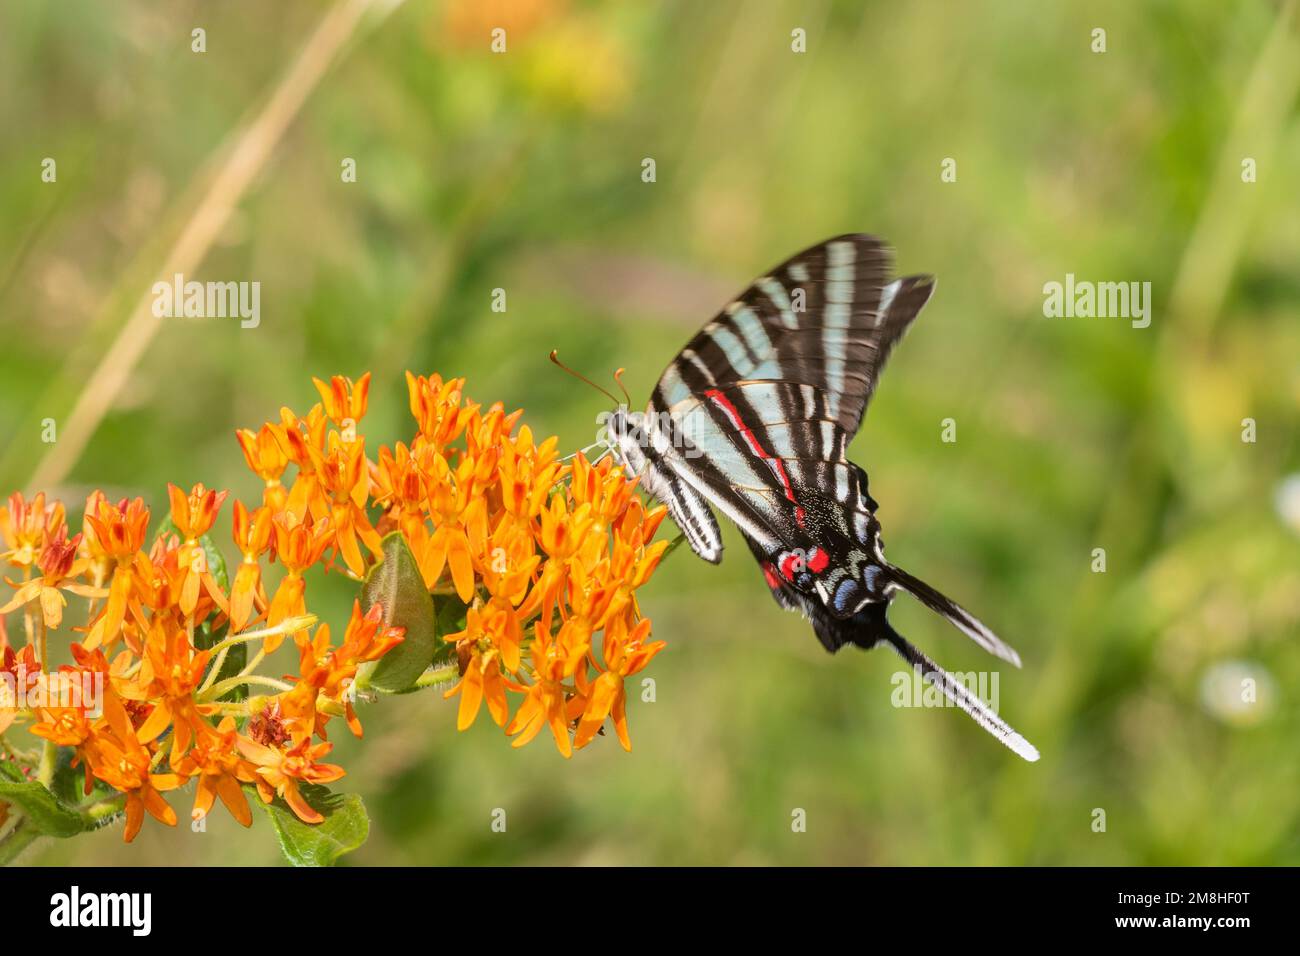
(142, 707)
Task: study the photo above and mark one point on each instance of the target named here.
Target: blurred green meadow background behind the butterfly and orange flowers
(523, 171)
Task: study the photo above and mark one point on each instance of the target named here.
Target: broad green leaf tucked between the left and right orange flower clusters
(397, 586)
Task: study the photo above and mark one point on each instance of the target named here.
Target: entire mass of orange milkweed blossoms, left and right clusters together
(540, 557)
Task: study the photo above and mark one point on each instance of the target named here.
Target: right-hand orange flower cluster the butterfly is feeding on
(545, 556)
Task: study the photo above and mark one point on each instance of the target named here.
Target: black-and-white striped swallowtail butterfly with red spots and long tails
(753, 418)
